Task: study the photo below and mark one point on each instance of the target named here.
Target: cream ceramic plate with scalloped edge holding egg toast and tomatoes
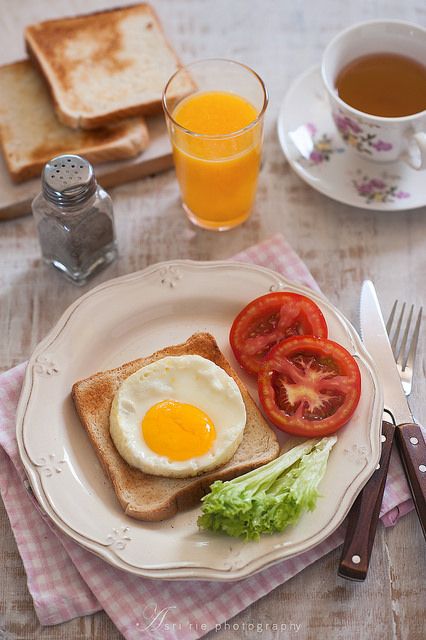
(133, 316)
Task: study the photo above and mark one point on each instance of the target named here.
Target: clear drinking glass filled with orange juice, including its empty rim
(216, 130)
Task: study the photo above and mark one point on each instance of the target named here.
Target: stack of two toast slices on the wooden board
(86, 88)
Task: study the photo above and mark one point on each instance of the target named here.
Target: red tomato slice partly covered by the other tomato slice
(266, 321)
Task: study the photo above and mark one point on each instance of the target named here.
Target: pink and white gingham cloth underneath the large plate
(66, 581)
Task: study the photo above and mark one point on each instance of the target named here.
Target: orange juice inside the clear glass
(217, 157)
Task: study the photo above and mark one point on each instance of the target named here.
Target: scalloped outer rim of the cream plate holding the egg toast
(169, 571)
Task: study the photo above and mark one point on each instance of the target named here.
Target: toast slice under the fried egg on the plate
(148, 497)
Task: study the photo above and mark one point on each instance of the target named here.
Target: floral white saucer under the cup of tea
(314, 149)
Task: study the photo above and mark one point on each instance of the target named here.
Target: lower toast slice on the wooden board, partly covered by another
(31, 134)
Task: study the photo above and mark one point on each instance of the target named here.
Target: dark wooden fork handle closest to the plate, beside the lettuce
(364, 515)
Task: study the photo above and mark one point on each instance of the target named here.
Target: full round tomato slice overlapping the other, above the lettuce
(309, 386)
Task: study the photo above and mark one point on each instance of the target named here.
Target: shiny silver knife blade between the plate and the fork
(375, 338)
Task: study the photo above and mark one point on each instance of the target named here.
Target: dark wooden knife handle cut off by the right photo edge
(412, 448)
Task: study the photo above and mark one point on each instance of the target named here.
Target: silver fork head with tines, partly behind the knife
(404, 359)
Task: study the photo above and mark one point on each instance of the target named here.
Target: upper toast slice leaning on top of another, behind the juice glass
(105, 65)
